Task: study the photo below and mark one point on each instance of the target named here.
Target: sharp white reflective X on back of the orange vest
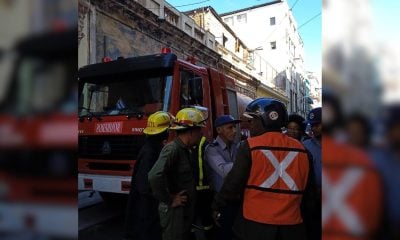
(280, 170)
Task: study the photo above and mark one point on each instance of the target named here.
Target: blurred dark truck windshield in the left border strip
(40, 85)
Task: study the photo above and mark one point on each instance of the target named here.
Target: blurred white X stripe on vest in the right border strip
(335, 196)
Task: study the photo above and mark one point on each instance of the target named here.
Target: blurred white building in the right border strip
(351, 58)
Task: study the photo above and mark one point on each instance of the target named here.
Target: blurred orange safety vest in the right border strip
(351, 193)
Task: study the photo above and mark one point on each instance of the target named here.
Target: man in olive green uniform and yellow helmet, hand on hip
(172, 180)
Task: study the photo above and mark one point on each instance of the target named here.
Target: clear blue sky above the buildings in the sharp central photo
(303, 11)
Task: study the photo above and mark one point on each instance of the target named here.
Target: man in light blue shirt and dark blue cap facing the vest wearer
(220, 155)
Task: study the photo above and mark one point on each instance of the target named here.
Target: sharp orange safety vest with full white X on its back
(278, 178)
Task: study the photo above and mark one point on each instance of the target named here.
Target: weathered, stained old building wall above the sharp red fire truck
(125, 28)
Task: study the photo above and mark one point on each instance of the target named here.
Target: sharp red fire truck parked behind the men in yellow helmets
(116, 98)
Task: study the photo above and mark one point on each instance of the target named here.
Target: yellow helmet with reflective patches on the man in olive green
(189, 118)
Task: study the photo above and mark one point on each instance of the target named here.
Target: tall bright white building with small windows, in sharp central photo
(271, 30)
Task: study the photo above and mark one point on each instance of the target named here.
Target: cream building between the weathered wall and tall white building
(240, 58)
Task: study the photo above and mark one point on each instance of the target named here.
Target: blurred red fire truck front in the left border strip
(38, 138)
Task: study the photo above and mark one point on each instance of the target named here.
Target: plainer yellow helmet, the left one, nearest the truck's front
(157, 123)
